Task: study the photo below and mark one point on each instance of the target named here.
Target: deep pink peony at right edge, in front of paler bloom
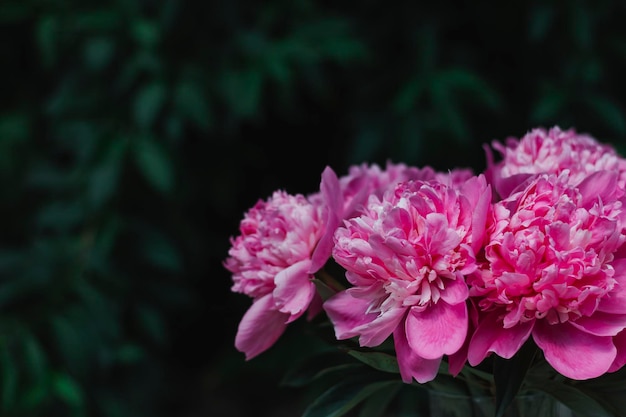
(553, 271)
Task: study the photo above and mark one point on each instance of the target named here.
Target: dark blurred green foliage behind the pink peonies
(134, 134)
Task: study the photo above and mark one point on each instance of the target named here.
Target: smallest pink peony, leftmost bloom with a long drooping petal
(270, 261)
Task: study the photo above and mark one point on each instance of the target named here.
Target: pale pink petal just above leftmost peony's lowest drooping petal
(294, 289)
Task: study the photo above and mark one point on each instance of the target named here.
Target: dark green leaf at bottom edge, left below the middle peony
(343, 397)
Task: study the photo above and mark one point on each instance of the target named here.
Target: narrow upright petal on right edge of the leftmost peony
(332, 196)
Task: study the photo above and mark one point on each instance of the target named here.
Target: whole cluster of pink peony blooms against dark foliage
(451, 267)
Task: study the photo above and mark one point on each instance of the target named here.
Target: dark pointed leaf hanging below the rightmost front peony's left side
(509, 375)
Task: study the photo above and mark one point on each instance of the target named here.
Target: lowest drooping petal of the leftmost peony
(260, 327)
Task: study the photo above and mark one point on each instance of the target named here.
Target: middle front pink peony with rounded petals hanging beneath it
(407, 256)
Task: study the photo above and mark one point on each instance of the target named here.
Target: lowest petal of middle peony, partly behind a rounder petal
(412, 365)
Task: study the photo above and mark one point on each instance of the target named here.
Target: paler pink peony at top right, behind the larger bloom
(550, 151)
